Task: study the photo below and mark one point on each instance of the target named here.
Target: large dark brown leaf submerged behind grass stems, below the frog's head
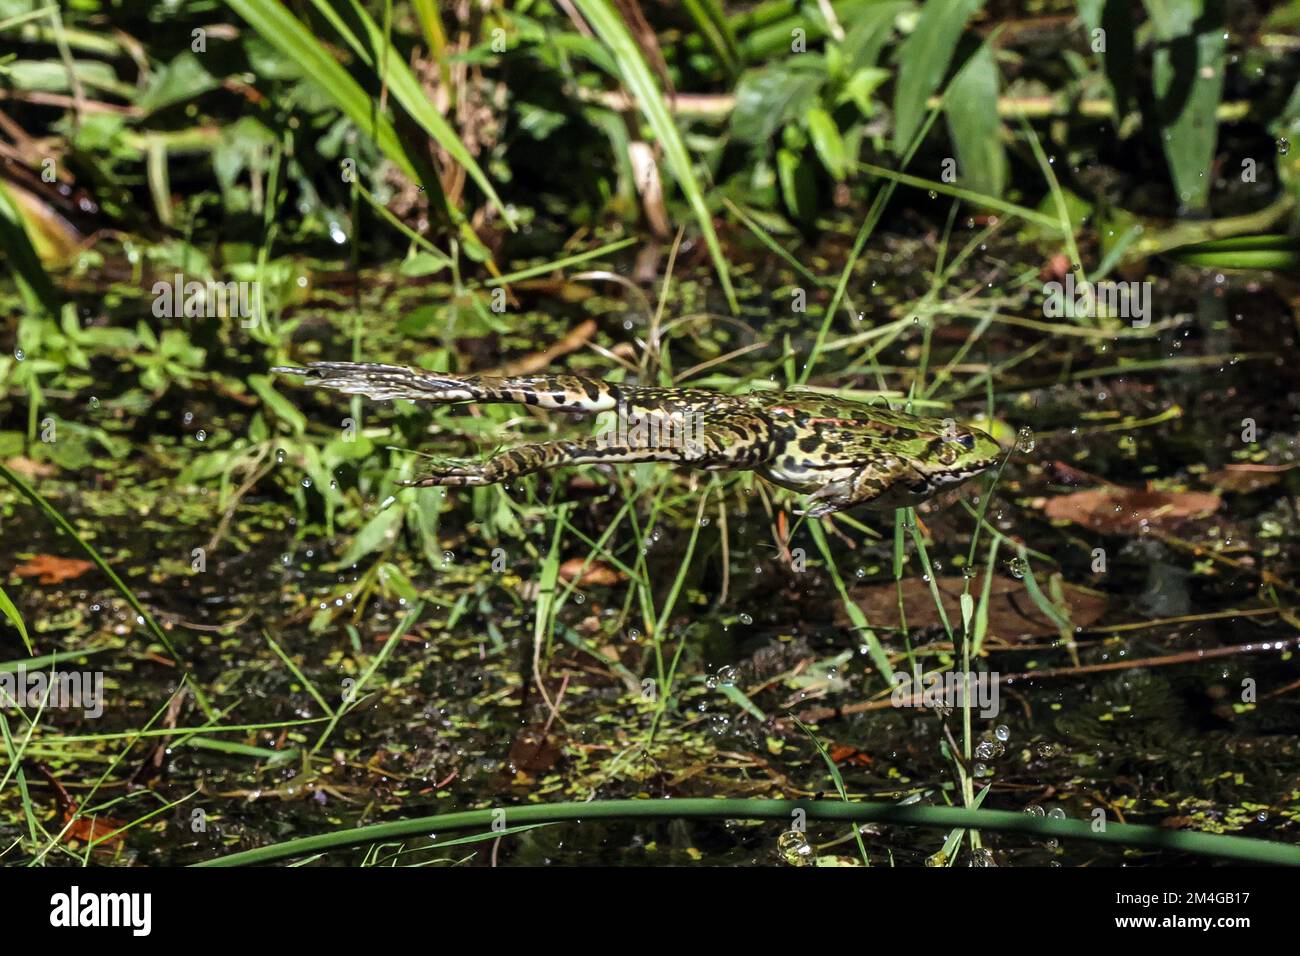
(1012, 613)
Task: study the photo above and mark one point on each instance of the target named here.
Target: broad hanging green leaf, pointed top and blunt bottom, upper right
(974, 126)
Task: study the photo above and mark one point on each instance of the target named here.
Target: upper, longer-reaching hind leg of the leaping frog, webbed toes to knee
(558, 392)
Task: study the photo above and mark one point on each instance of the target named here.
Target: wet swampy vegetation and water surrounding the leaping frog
(894, 201)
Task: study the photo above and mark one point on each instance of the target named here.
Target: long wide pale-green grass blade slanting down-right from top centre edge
(636, 76)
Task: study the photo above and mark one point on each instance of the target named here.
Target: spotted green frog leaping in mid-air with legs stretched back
(840, 453)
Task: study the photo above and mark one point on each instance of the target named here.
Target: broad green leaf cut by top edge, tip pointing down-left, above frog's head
(924, 62)
